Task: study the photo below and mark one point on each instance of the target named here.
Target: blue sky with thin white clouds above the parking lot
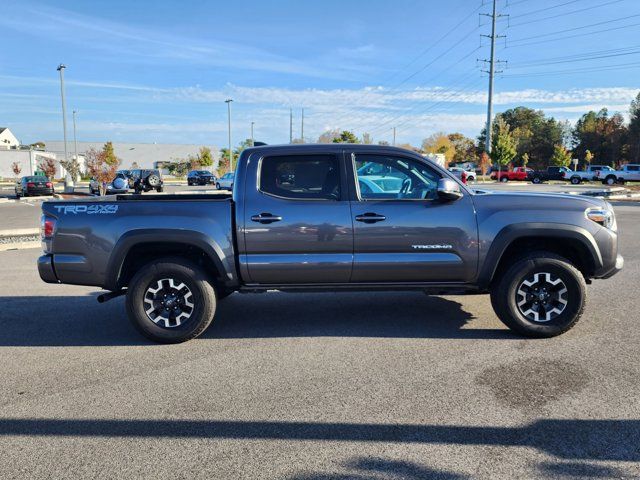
(143, 71)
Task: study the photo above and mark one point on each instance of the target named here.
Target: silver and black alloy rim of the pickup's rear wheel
(168, 303)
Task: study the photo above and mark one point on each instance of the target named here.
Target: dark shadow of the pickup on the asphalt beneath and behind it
(81, 321)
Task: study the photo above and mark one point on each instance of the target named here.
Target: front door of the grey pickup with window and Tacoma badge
(417, 237)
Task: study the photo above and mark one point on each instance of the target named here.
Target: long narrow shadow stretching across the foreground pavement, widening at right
(617, 440)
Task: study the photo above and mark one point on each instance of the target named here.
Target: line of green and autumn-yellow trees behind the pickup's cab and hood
(523, 136)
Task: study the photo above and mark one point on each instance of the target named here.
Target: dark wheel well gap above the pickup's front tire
(571, 249)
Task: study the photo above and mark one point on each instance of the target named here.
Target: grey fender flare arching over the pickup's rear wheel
(162, 235)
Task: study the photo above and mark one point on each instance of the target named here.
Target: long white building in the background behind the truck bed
(140, 155)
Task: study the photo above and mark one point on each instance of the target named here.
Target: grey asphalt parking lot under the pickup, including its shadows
(319, 386)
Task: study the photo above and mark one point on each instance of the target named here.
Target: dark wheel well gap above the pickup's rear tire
(143, 253)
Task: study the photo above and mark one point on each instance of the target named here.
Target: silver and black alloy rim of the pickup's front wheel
(541, 297)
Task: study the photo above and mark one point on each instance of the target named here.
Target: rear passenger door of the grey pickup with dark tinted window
(297, 226)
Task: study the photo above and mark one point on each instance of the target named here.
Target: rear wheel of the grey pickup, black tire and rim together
(185, 322)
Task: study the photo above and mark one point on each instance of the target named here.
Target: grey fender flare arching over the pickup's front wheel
(513, 232)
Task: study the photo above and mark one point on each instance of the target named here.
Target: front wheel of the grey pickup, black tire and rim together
(539, 268)
